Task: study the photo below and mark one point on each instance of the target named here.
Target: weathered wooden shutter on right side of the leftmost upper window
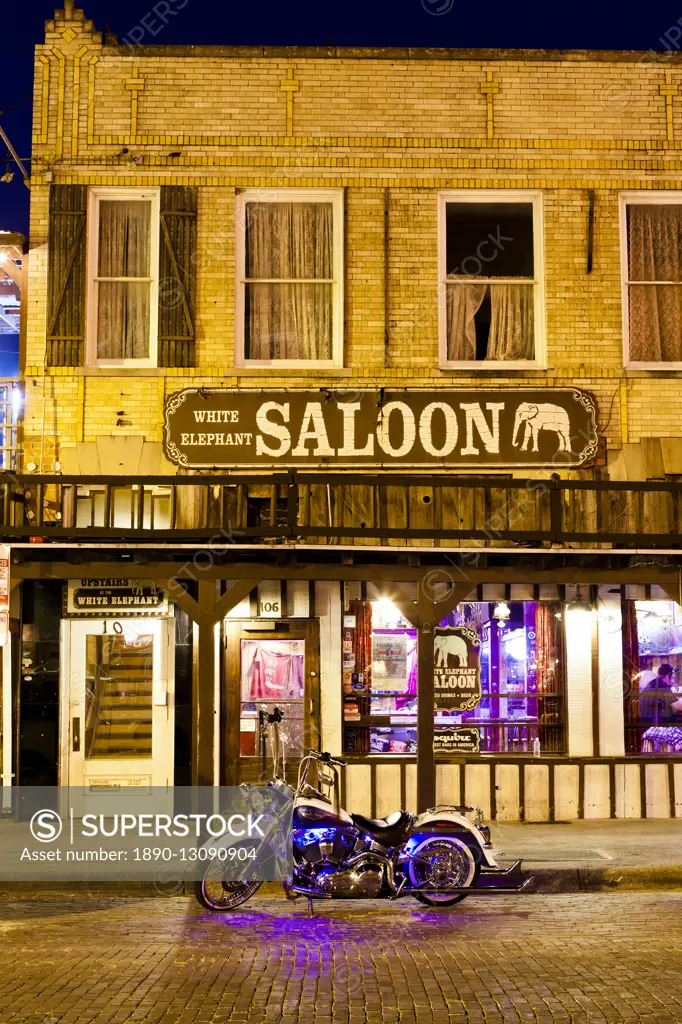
(178, 276)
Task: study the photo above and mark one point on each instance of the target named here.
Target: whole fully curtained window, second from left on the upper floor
(290, 276)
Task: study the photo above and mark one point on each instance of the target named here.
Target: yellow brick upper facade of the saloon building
(392, 129)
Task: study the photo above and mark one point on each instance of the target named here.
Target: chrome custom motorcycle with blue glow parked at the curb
(440, 858)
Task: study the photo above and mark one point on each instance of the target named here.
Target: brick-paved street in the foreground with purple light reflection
(603, 959)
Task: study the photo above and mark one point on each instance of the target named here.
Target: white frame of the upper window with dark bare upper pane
(535, 198)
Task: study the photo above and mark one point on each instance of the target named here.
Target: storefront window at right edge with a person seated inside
(653, 657)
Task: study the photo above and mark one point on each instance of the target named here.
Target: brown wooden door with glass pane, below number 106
(269, 669)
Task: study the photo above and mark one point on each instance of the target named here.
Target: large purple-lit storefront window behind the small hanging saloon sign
(522, 668)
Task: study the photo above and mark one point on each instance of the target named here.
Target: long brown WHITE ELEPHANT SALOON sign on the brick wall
(502, 428)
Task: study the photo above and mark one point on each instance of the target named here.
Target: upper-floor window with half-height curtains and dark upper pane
(491, 274)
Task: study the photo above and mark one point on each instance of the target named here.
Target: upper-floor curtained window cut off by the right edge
(652, 269)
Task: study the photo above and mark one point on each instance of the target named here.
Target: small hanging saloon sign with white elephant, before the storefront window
(456, 668)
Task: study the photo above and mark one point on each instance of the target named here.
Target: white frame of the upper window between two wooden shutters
(95, 198)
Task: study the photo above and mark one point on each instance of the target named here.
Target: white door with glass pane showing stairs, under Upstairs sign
(120, 700)
